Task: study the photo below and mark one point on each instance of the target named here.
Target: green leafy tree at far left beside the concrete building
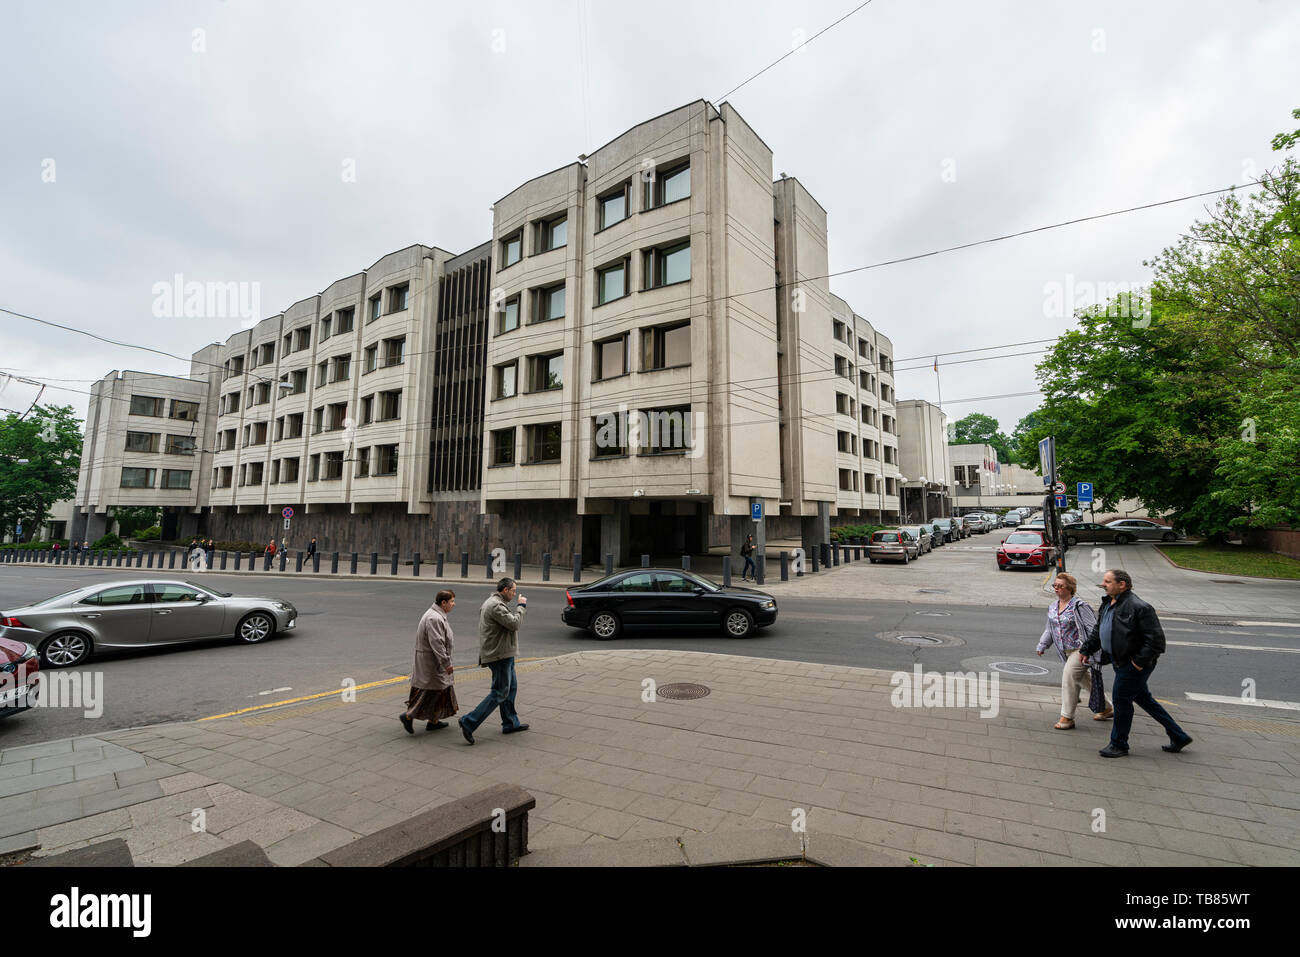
(40, 461)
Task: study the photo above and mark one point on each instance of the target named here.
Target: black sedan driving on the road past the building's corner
(665, 599)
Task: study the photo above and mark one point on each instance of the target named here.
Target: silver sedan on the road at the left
(141, 614)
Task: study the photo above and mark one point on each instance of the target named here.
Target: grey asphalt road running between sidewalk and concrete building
(363, 631)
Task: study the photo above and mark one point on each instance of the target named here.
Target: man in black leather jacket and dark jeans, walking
(1130, 638)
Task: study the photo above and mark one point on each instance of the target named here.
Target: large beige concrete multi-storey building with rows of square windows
(647, 347)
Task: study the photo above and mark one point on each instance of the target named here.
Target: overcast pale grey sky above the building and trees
(215, 141)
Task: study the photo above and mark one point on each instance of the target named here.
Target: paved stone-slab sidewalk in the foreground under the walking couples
(942, 786)
